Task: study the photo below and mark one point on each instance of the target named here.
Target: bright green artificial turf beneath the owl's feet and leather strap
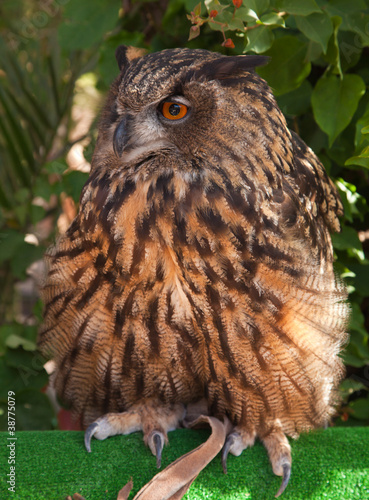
(331, 464)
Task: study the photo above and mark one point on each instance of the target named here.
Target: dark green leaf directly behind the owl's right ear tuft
(287, 68)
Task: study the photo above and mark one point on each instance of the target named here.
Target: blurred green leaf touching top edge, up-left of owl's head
(86, 22)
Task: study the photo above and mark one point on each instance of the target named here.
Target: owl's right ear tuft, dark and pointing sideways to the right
(229, 66)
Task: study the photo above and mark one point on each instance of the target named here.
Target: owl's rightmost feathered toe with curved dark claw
(279, 452)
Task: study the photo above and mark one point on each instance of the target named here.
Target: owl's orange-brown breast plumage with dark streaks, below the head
(167, 286)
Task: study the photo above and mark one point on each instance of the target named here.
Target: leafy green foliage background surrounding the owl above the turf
(56, 64)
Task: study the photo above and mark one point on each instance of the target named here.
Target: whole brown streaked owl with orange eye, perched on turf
(199, 269)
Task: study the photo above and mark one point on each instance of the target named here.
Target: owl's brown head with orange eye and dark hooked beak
(185, 106)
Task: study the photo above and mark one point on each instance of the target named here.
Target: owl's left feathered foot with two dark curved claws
(154, 420)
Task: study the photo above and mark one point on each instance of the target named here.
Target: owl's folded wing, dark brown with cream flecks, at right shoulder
(315, 186)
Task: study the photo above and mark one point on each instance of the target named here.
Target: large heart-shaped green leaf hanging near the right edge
(335, 101)
